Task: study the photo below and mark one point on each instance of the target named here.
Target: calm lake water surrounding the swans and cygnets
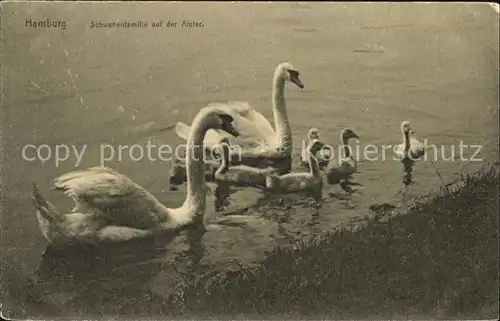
(365, 66)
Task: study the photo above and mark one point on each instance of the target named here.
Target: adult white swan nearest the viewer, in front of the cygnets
(112, 208)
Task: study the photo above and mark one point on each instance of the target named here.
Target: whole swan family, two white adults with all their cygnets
(109, 207)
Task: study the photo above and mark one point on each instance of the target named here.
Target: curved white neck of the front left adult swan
(195, 201)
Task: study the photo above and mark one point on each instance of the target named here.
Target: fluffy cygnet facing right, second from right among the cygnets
(340, 172)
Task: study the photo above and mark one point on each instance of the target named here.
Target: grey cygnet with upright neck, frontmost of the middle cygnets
(310, 182)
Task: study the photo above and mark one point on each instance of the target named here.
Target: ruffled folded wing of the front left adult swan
(111, 194)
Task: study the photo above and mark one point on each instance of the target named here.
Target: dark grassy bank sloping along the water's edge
(438, 261)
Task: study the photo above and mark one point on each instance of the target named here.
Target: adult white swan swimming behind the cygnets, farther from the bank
(259, 142)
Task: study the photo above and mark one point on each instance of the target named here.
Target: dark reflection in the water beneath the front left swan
(101, 268)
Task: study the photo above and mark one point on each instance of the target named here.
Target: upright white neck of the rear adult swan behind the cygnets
(281, 124)
